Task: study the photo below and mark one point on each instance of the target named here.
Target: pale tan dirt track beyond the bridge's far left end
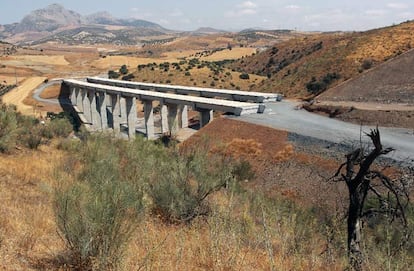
(18, 94)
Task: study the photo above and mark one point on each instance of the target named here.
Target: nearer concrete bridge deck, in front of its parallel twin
(234, 107)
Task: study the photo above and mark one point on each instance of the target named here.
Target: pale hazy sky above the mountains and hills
(301, 15)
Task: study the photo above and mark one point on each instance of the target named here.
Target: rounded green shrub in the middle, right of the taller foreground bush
(184, 183)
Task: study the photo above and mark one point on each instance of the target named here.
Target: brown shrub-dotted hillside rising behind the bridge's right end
(306, 66)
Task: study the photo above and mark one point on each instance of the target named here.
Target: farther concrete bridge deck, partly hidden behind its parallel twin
(235, 95)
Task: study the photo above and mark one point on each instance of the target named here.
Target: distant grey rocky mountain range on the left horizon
(55, 23)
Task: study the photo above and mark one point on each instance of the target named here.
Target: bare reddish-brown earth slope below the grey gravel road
(281, 169)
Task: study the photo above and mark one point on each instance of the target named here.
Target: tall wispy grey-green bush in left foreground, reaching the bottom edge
(97, 208)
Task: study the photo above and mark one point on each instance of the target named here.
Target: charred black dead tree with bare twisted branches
(360, 179)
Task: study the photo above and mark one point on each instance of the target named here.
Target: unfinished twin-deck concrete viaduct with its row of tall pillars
(109, 104)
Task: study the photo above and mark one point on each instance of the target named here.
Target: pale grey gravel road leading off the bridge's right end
(283, 115)
